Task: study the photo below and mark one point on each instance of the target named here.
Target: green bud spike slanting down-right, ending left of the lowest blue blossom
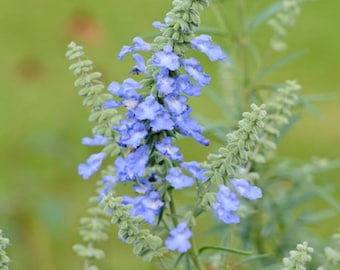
(146, 245)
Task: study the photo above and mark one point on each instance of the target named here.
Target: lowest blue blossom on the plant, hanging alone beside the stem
(179, 238)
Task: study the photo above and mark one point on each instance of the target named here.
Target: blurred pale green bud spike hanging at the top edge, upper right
(283, 19)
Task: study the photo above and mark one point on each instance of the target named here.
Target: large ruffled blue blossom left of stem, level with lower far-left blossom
(134, 165)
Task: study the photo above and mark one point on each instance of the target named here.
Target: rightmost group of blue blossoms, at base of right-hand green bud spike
(227, 201)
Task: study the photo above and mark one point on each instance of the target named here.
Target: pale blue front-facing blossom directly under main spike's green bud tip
(166, 59)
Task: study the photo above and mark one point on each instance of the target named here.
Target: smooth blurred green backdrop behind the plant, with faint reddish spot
(43, 121)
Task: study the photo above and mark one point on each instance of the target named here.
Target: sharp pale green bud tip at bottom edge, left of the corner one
(298, 258)
